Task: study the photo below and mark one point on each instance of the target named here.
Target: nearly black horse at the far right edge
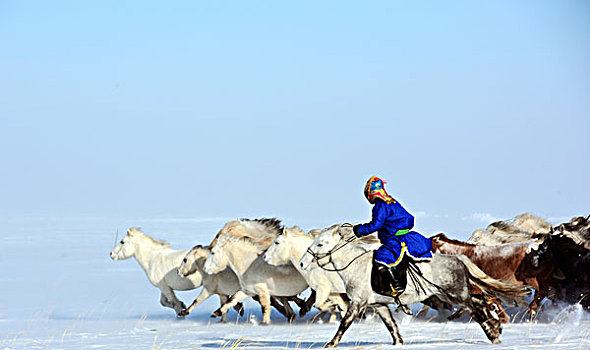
(562, 267)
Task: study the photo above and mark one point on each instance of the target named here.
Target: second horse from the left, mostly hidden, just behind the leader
(224, 283)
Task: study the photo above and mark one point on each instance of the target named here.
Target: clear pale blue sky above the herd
(121, 109)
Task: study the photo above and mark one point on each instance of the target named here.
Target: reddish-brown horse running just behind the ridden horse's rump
(500, 262)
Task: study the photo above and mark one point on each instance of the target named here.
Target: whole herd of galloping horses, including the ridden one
(273, 264)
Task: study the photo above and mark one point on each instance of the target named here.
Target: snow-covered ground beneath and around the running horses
(60, 290)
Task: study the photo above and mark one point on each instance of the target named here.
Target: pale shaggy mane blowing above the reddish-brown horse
(522, 228)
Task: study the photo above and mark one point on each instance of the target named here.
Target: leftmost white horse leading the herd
(159, 262)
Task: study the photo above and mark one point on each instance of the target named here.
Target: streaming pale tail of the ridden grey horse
(491, 286)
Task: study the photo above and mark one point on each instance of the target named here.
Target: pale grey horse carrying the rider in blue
(447, 278)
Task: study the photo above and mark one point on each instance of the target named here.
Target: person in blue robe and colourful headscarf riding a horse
(393, 224)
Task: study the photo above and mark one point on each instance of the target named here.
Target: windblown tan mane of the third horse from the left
(260, 232)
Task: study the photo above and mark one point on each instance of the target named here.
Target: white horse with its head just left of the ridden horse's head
(289, 247)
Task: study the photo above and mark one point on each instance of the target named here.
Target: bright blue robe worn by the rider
(387, 220)
